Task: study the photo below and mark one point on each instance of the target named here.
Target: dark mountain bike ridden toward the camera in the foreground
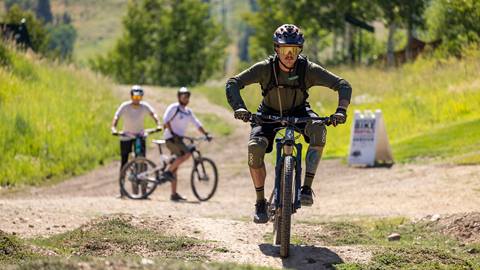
(288, 171)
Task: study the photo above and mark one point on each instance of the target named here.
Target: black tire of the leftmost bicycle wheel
(150, 186)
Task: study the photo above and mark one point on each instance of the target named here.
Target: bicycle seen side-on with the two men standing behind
(143, 172)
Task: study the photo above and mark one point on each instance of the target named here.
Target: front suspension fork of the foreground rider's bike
(284, 147)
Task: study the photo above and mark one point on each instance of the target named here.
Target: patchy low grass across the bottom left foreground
(111, 242)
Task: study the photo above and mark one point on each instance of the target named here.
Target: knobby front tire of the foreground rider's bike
(286, 210)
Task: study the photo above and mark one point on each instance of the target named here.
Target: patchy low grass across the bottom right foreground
(420, 246)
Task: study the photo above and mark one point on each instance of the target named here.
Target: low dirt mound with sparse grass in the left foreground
(126, 234)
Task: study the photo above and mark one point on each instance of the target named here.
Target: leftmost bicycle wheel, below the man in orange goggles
(138, 178)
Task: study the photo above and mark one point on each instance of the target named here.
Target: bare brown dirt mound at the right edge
(465, 227)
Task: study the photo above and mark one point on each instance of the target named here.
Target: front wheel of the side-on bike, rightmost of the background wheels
(204, 179)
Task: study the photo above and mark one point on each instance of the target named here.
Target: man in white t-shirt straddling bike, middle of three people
(176, 119)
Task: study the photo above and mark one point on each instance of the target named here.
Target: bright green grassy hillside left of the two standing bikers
(54, 119)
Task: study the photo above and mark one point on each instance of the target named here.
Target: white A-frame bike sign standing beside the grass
(369, 142)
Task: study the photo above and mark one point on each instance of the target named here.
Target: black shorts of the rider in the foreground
(269, 131)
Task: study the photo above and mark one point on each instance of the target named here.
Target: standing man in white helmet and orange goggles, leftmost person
(133, 113)
